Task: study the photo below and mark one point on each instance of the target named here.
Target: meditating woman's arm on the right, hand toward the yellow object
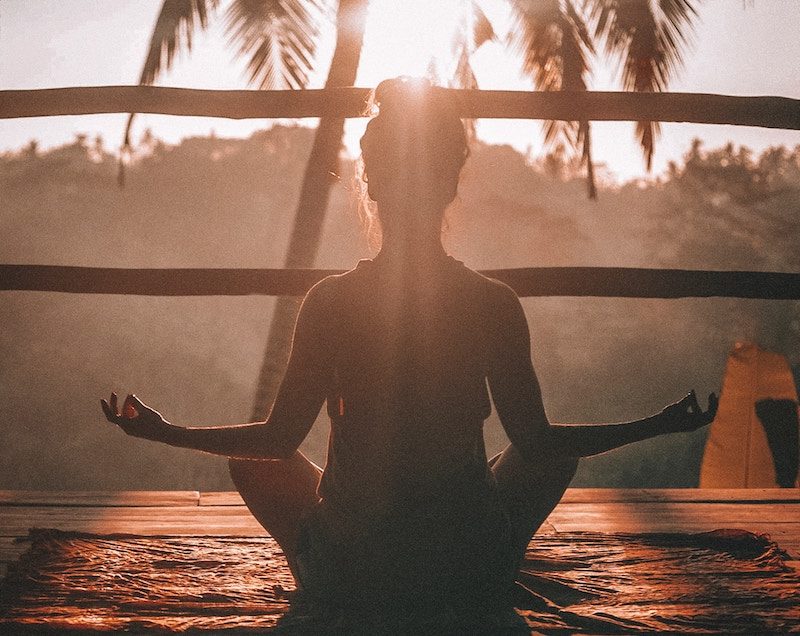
(518, 399)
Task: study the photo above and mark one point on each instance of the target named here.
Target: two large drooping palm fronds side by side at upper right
(556, 39)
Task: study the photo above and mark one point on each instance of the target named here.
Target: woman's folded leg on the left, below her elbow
(279, 493)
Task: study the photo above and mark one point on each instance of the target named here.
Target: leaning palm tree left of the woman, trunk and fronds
(280, 38)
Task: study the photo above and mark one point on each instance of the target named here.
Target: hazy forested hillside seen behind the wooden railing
(212, 202)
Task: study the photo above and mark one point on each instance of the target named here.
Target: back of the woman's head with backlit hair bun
(413, 150)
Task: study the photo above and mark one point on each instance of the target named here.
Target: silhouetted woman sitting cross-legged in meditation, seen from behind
(402, 348)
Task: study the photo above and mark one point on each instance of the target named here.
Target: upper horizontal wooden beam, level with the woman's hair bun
(767, 112)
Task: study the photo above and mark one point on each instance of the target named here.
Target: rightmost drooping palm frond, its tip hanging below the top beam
(649, 37)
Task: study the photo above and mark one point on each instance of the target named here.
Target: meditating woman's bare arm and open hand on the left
(299, 399)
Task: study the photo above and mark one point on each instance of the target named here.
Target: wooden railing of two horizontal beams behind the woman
(768, 112)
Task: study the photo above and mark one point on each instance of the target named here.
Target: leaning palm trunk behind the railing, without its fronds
(313, 202)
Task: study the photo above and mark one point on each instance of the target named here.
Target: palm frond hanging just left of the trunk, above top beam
(279, 38)
